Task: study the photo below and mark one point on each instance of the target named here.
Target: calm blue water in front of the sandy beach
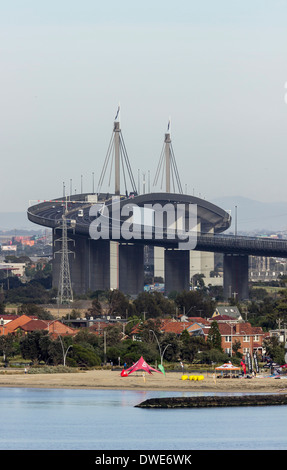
(49, 419)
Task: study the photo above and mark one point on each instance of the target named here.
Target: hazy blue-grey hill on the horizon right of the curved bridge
(255, 216)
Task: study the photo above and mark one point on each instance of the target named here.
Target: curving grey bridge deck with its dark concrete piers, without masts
(97, 261)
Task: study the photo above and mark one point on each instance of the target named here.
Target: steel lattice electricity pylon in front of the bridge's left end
(65, 292)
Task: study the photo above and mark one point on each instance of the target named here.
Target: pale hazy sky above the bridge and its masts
(217, 68)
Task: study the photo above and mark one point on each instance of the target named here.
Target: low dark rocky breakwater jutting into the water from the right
(215, 401)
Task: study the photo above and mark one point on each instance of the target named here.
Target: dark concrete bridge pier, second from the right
(176, 267)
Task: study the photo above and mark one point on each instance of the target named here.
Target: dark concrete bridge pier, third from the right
(131, 268)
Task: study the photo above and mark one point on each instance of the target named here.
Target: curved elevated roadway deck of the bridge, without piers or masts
(49, 214)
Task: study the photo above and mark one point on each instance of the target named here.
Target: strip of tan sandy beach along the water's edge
(112, 380)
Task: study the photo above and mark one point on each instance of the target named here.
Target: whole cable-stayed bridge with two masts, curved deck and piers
(110, 230)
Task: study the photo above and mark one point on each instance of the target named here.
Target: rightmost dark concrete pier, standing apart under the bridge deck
(235, 276)
